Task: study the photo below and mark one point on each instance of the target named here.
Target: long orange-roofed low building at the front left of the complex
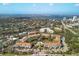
(22, 47)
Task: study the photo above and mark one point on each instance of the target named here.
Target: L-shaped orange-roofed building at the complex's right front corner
(55, 43)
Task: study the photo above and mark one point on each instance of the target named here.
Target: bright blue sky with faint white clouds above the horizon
(39, 8)
